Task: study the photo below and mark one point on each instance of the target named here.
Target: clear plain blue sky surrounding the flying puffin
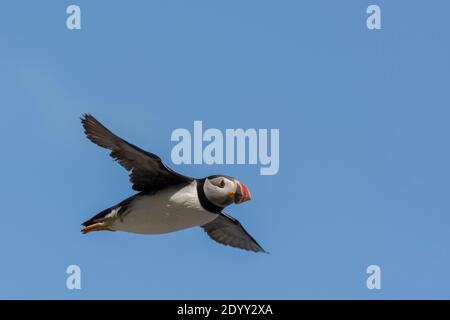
(364, 158)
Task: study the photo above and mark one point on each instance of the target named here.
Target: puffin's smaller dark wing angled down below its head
(228, 231)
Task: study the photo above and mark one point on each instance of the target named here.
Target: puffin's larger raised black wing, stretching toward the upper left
(147, 171)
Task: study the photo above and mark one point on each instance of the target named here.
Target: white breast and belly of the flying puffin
(166, 211)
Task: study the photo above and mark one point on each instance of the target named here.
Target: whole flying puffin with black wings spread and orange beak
(167, 201)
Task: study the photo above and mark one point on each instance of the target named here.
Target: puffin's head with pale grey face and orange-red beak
(223, 191)
